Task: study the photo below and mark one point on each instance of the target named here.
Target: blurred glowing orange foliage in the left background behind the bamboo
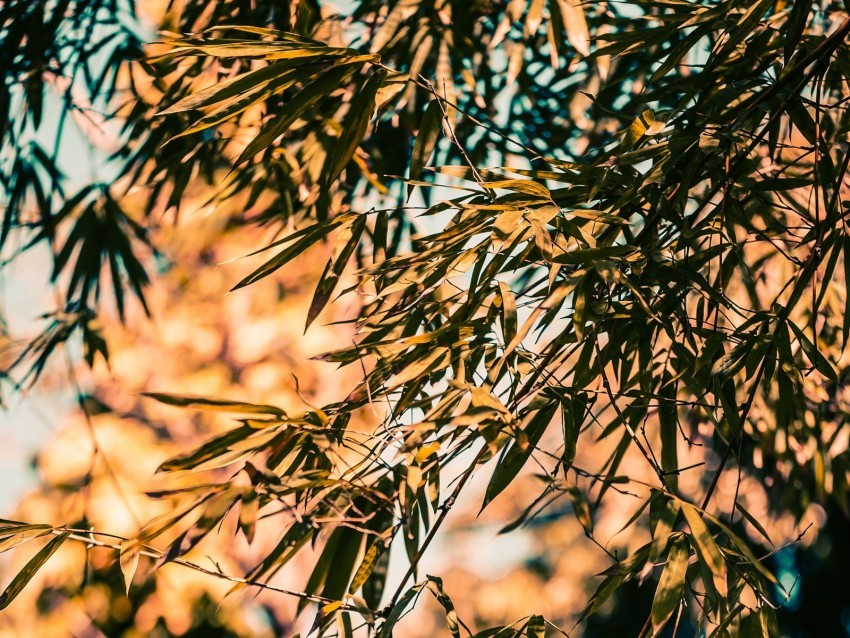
(95, 471)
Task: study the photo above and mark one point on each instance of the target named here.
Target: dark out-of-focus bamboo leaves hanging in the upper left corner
(83, 61)
